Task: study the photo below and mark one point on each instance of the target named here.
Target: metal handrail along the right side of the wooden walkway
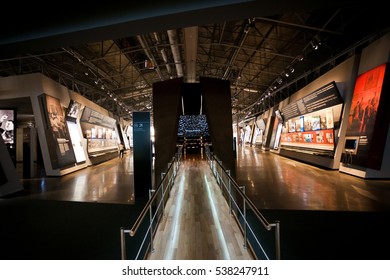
(267, 225)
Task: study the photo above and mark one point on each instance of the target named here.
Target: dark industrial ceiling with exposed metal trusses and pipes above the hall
(266, 59)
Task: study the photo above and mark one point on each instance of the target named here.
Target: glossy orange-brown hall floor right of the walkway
(276, 182)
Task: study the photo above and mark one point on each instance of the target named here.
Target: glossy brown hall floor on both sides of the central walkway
(271, 181)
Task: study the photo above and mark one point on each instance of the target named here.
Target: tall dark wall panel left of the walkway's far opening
(167, 108)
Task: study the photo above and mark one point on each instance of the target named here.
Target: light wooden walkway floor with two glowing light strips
(197, 224)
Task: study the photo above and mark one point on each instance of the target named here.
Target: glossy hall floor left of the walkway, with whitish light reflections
(107, 182)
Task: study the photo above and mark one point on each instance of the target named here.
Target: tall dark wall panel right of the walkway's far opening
(217, 103)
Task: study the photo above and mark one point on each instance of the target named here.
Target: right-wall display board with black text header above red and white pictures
(309, 124)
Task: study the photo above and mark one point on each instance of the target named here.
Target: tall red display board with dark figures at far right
(368, 120)
